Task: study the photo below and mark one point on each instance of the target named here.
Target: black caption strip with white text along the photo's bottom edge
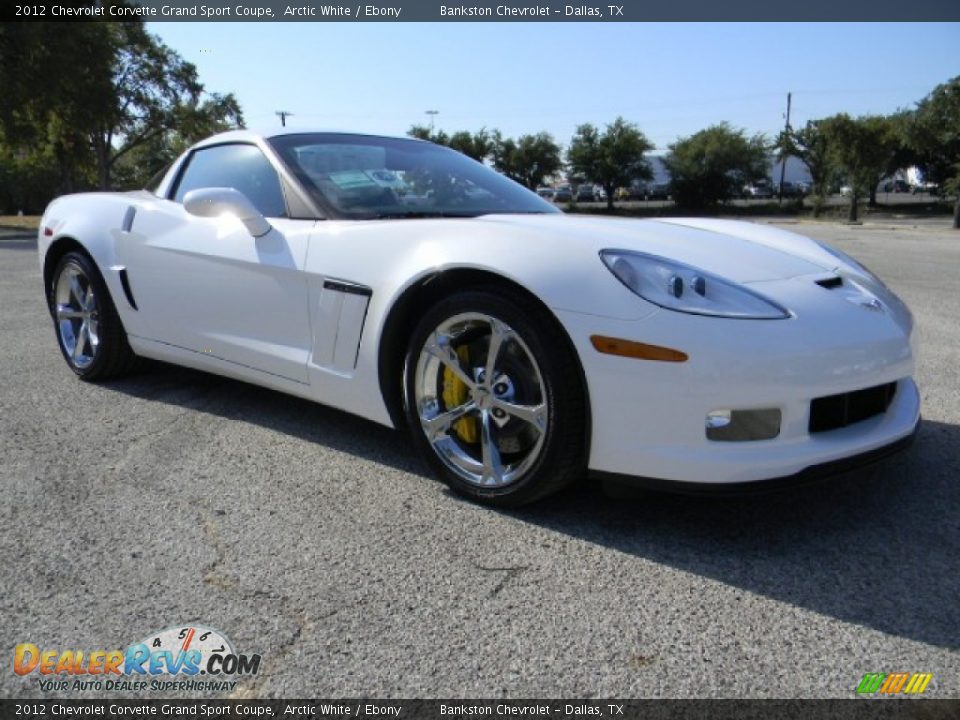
(862, 709)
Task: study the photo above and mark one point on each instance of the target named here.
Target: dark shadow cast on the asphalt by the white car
(878, 548)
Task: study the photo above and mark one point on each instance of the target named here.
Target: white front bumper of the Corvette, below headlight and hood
(648, 417)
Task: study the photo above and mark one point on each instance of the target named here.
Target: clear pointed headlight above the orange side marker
(675, 286)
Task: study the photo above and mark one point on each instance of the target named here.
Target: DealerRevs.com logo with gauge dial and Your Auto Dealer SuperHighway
(189, 657)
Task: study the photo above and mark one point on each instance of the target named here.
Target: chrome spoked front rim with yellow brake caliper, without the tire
(481, 400)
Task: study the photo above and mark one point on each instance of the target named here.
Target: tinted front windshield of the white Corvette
(362, 177)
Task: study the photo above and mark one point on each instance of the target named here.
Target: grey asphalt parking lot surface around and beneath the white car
(319, 541)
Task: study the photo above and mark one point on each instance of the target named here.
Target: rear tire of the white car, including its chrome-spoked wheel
(104, 351)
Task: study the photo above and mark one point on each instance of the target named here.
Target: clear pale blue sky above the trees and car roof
(670, 79)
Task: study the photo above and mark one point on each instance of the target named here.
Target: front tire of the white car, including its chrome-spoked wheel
(535, 368)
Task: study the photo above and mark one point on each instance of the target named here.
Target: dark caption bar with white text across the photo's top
(482, 10)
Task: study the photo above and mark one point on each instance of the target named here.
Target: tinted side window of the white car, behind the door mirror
(242, 167)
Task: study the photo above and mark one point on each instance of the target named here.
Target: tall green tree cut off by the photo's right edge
(934, 134)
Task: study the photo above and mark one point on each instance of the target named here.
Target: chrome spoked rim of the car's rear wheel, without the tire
(77, 315)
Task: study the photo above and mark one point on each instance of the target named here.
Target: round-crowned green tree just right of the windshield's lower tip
(610, 159)
